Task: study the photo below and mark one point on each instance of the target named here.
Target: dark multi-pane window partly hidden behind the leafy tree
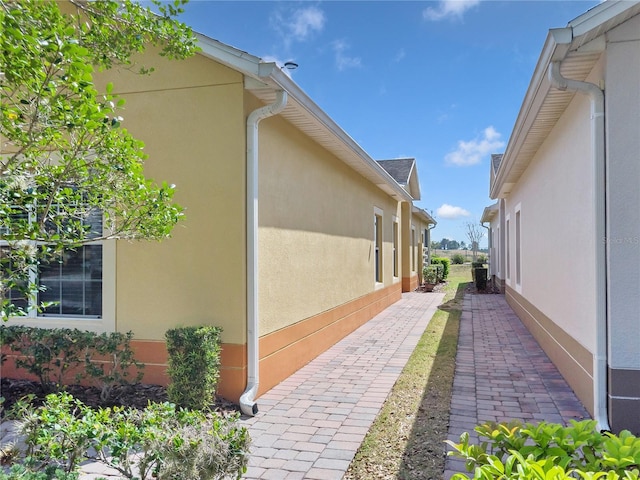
(71, 283)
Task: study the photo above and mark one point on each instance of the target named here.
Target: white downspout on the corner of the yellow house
(247, 399)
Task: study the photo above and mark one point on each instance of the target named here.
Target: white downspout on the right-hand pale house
(596, 96)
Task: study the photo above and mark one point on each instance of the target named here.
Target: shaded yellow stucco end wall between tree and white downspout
(190, 115)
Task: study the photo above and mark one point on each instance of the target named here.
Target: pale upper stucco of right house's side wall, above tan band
(554, 197)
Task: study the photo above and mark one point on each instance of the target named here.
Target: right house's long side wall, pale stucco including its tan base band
(553, 292)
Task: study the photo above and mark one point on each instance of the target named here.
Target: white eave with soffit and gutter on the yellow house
(263, 79)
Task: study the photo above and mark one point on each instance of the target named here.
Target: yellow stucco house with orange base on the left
(293, 236)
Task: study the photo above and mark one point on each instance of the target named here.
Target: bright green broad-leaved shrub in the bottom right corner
(526, 451)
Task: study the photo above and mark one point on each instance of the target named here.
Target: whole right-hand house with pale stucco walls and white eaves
(566, 227)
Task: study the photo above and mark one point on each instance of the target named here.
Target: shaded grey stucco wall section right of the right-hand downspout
(623, 172)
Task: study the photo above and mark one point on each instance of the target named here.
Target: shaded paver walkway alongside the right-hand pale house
(502, 374)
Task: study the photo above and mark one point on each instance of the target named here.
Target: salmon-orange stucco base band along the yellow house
(281, 353)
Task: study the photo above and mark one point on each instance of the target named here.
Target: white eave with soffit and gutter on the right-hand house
(578, 47)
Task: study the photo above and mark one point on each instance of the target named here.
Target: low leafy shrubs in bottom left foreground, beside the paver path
(159, 442)
